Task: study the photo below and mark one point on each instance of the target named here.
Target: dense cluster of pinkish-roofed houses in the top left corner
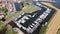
(8, 5)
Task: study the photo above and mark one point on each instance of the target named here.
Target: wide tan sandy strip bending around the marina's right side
(54, 25)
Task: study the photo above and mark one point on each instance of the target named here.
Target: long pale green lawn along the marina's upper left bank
(27, 8)
